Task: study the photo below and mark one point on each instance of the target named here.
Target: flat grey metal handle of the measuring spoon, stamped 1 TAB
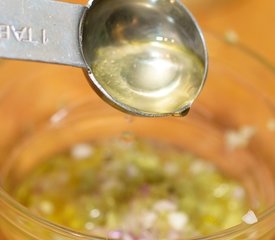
(41, 30)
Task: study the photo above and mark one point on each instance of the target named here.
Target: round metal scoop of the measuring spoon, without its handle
(145, 57)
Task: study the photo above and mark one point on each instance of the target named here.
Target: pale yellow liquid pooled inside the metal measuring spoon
(154, 77)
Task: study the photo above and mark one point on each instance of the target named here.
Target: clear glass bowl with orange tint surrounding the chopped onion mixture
(46, 109)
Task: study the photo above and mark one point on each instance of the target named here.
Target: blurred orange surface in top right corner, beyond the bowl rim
(252, 20)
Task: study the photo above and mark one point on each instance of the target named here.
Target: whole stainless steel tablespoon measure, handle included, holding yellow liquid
(144, 57)
